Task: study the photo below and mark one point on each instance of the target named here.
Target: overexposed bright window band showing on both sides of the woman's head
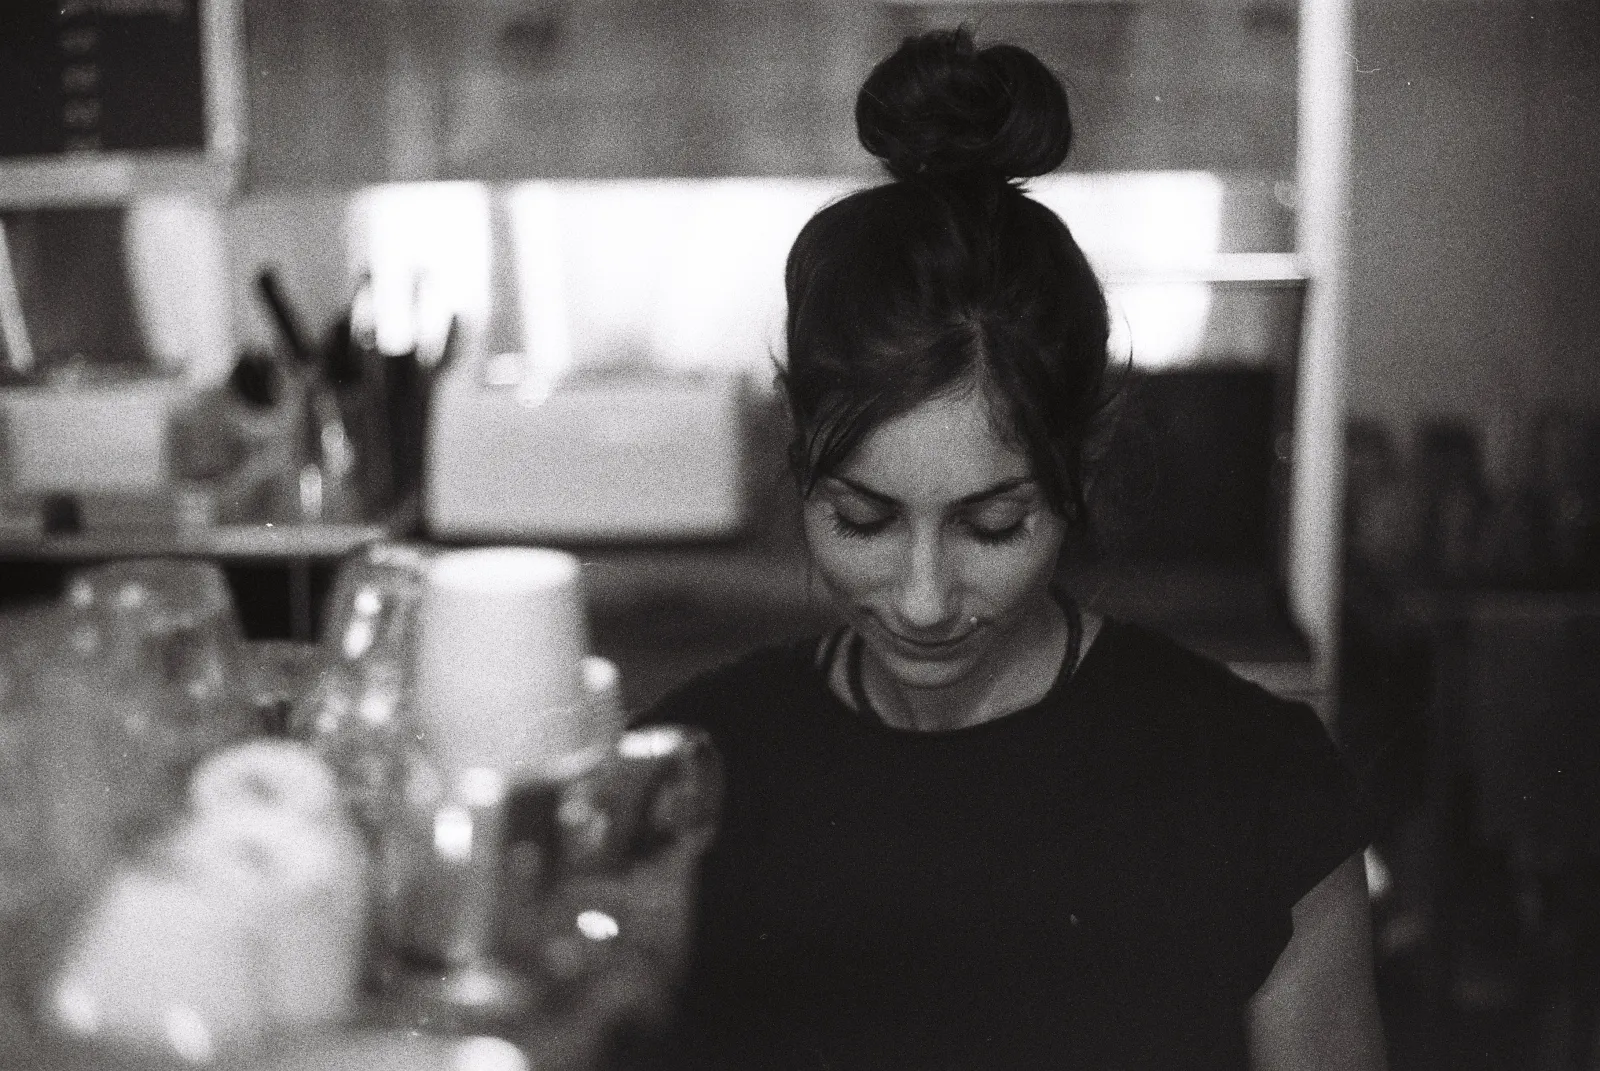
(684, 275)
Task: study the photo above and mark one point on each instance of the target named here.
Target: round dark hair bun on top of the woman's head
(942, 106)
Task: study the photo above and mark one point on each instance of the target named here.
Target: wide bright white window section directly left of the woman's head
(658, 275)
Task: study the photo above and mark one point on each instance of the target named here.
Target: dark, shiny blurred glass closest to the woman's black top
(599, 889)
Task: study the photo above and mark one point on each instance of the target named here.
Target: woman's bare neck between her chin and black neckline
(1022, 668)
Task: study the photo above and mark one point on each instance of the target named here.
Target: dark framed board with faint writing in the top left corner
(102, 76)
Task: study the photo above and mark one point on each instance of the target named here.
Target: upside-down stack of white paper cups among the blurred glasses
(500, 667)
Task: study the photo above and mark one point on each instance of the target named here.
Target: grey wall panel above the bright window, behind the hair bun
(495, 90)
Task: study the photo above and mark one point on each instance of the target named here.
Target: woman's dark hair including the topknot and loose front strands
(950, 278)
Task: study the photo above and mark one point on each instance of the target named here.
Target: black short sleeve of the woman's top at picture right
(1313, 814)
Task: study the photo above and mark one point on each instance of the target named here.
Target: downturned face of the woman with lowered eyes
(935, 540)
